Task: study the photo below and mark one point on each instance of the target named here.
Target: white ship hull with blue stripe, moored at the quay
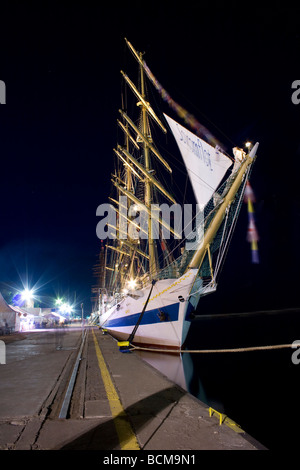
(166, 320)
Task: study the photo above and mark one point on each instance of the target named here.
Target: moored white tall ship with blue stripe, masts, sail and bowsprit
(159, 256)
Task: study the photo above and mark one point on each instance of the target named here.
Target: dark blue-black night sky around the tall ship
(231, 66)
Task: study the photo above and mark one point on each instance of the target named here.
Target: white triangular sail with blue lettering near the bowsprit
(205, 164)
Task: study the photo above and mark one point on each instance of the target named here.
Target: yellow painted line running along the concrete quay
(124, 430)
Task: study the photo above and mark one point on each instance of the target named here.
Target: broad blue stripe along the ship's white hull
(150, 316)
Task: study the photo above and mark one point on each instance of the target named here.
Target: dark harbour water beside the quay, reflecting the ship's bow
(259, 390)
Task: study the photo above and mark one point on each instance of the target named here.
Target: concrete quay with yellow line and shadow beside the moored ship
(119, 401)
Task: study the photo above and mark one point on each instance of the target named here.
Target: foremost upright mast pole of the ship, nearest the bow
(148, 184)
